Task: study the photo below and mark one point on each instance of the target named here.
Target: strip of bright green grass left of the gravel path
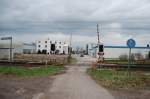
(27, 72)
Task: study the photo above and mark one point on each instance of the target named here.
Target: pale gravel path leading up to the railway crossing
(75, 84)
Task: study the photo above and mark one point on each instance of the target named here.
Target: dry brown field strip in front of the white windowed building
(35, 60)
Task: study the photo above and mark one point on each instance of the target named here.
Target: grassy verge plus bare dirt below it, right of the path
(122, 86)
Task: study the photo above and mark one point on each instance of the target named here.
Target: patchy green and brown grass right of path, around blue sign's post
(119, 79)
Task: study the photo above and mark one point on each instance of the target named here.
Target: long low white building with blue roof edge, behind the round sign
(116, 51)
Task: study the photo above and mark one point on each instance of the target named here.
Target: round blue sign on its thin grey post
(131, 44)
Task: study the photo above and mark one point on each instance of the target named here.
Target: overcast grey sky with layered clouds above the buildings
(28, 20)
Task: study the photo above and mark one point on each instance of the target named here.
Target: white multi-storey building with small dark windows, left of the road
(48, 46)
